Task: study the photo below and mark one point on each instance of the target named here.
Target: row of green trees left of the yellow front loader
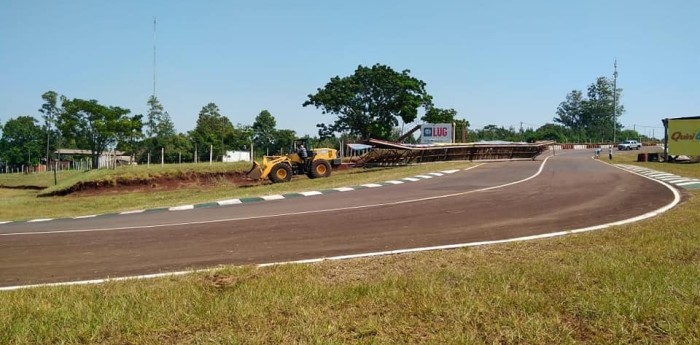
(88, 125)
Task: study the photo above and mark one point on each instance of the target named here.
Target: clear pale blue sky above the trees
(495, 62)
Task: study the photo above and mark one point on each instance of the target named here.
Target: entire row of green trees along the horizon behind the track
(373, 102)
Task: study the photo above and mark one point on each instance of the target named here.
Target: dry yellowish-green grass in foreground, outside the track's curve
(638, 283)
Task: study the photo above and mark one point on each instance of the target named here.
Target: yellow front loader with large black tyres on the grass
(281, 168)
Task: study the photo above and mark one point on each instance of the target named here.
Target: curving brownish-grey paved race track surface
(572, 191)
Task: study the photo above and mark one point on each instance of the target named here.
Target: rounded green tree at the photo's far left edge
(21, 141)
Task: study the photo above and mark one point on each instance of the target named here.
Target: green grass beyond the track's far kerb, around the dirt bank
(24, 205)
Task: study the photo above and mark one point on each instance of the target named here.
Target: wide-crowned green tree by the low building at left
(93, 126)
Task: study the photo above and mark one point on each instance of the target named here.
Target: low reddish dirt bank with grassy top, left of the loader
(156, 183)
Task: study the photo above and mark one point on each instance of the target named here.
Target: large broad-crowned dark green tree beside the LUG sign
(370, 102)
